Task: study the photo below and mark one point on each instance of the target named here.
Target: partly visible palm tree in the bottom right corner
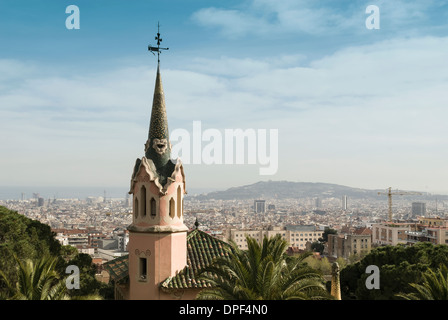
(434, 287)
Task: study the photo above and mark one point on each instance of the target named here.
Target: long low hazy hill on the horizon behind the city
(290, 190)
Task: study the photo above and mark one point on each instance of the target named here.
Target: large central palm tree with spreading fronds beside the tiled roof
(262, 272)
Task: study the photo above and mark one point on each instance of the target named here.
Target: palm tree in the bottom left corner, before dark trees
(38, 280)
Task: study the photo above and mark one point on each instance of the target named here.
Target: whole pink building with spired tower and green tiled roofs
(164, 256)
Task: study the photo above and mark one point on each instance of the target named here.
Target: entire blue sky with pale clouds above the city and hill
(353, 106)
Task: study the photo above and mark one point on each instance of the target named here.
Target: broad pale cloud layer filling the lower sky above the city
(369, 108)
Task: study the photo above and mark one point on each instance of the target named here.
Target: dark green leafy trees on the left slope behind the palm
(25, 242)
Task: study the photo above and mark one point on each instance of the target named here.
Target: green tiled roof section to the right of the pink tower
(202, 249)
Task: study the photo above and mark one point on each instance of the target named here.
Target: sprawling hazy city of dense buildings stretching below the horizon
(97, 225)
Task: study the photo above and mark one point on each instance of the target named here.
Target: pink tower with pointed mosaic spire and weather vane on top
(157, 235)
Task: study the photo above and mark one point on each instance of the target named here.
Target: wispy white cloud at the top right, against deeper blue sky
(320, 18)
